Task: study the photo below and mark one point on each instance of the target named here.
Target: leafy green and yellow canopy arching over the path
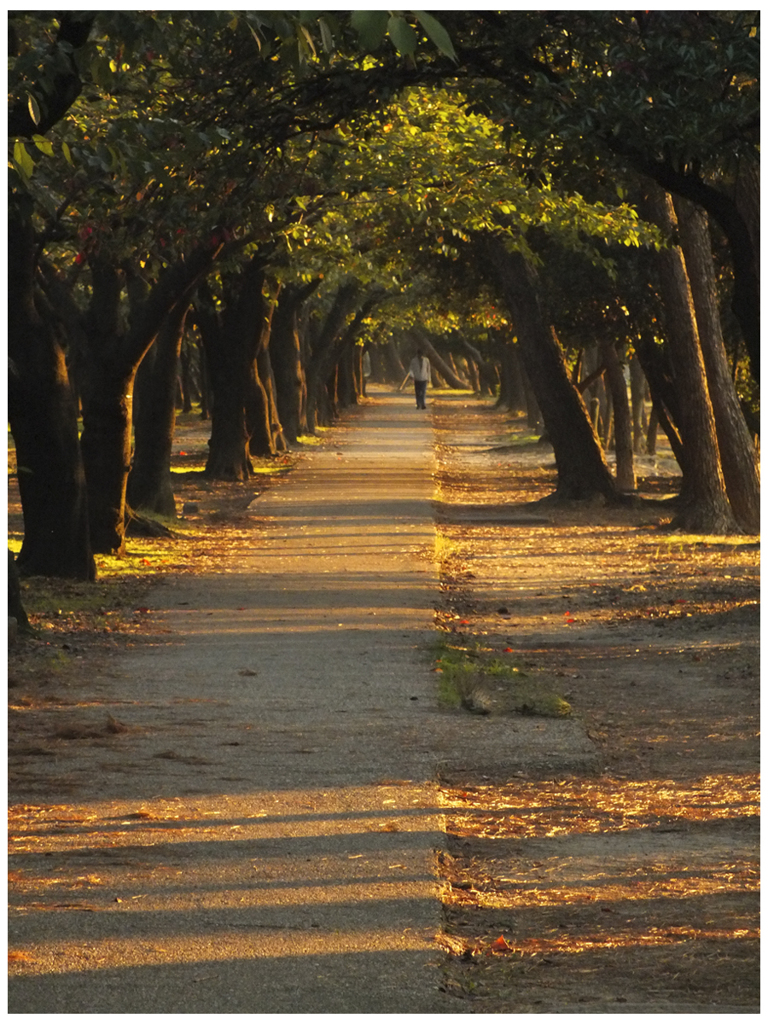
(355, 162)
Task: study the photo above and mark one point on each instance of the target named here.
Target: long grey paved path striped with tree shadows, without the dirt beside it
(263, 838)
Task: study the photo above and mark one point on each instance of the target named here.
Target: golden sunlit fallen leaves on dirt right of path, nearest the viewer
(666, 878)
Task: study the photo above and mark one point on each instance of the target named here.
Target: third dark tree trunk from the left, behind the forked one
(150, 483)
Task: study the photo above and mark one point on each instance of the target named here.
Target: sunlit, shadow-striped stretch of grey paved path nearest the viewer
(220, 879)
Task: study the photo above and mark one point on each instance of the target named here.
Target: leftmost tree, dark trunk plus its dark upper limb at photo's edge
(41, 406)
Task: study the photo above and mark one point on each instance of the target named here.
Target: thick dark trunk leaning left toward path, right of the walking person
(583, 472)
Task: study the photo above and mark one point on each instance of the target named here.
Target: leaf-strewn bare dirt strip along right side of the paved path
(634, 890)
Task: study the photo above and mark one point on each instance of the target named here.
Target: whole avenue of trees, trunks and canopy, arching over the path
(550, 202)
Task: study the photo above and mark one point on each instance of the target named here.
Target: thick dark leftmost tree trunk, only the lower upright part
(42, 413)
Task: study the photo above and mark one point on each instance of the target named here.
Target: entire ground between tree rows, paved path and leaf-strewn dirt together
(242, 815)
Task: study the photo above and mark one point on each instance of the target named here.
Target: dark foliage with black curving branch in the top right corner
(672, 96)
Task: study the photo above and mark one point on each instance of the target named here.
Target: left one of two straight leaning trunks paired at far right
(706, 509)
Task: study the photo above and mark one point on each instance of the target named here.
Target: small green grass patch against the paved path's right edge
(476, 678)
